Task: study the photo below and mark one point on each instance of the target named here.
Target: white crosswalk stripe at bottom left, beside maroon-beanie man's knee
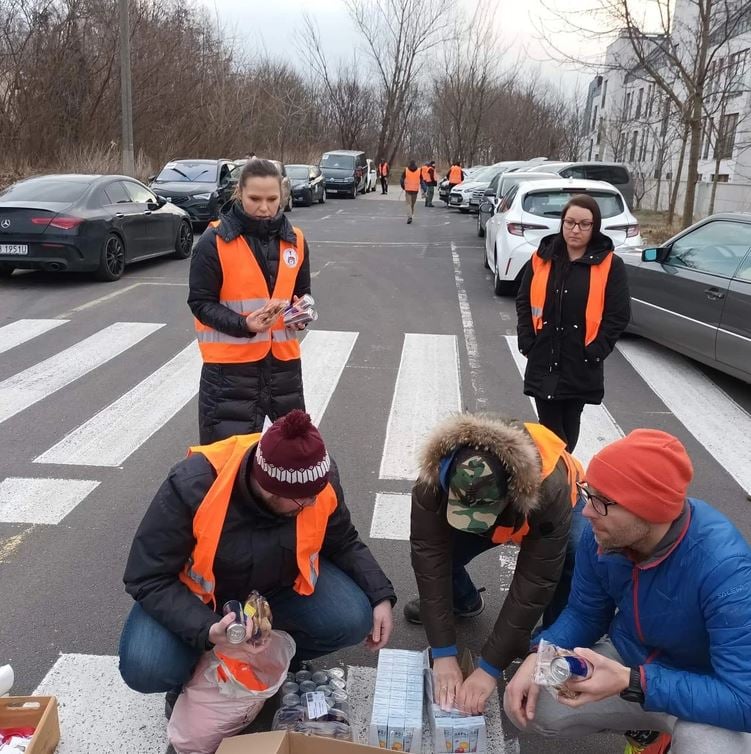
(99, 713)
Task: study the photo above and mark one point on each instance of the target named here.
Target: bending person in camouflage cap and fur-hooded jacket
(480, 486)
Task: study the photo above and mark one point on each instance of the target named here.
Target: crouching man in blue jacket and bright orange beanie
(660, 605)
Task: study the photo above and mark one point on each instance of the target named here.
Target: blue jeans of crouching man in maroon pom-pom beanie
(337, 615)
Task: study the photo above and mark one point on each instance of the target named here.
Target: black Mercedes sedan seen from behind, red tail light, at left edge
(80, 223)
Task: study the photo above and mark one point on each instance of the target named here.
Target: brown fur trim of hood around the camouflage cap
(507, 441)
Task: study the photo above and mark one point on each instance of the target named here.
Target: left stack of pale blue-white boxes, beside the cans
(396, 722)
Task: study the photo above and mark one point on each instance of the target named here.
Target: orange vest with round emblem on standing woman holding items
(244, 290)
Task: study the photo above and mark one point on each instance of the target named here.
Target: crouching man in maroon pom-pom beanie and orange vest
(274, 519)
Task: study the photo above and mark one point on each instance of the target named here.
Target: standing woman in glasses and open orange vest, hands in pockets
(572, 306)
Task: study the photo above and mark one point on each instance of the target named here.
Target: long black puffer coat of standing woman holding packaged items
(234, 398)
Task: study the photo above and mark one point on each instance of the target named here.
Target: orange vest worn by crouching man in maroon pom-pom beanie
(225, 457)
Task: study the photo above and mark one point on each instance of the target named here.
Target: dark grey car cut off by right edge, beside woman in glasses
(693, 293)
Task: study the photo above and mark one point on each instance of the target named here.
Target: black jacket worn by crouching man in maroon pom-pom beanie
(256, 550)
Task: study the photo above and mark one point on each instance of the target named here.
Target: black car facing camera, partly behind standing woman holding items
(200, 187)
